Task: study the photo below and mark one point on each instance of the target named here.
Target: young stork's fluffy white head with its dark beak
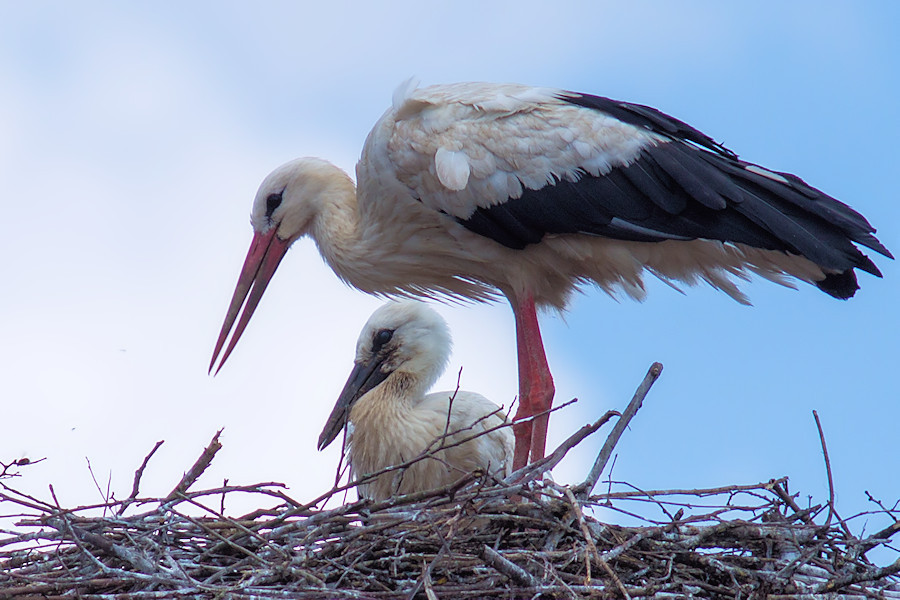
(403, 340)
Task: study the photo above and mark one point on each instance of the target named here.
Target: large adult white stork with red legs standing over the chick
(465, 190)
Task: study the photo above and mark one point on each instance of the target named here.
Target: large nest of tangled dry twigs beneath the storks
(523, 537)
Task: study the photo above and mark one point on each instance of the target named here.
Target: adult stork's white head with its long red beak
(285, 209)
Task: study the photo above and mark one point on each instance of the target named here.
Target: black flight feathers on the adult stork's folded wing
(686, 188)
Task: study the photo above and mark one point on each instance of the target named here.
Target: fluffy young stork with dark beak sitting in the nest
(402, 350)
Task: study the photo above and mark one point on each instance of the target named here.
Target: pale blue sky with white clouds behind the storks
(133, 139)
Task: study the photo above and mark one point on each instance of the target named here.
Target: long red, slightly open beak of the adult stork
(266, 252)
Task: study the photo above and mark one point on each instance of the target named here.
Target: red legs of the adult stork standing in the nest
(535, 384)
